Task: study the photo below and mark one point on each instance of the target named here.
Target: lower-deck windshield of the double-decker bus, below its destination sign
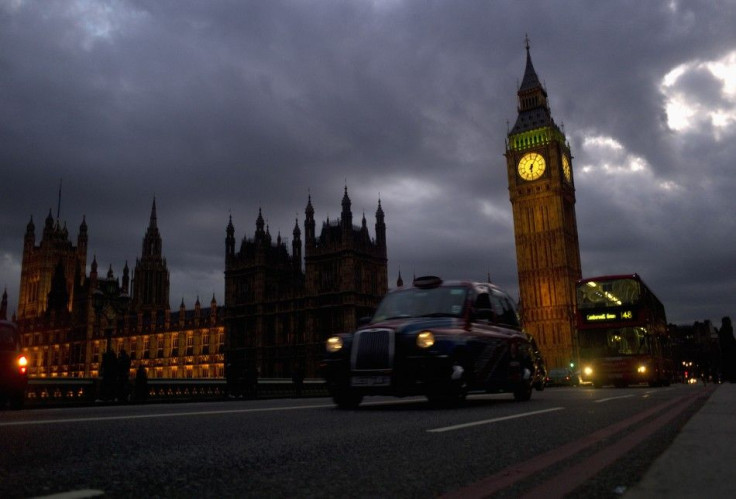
(615, 342)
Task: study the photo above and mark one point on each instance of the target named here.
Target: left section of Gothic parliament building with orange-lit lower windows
(68, 319)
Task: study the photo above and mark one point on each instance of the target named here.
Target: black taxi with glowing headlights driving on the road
(441, 339)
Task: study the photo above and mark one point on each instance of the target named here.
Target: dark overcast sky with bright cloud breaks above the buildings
(220, 108)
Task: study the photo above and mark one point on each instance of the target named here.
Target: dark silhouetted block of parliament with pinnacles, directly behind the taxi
(278, 313)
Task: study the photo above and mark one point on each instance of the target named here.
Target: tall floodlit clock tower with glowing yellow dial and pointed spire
(542, 193)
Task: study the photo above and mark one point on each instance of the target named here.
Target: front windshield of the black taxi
(446, 301)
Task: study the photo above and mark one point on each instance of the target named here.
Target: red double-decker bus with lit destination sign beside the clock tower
(622, 332)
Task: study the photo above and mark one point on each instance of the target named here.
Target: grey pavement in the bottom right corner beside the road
(702, 459)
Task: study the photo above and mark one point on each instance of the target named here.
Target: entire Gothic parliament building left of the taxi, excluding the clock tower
(279, 307)
